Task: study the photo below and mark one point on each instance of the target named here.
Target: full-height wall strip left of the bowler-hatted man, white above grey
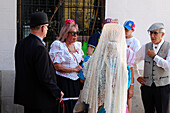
(8, 37)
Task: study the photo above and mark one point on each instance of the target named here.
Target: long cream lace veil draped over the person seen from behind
(106, 73)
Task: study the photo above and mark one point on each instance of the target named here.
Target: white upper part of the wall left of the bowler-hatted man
(8, 32)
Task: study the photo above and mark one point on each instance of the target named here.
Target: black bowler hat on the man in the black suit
(38, 18)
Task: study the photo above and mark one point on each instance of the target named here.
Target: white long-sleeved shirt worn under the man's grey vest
(160, 62)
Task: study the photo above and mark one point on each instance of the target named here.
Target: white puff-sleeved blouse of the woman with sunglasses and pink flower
(59, 53)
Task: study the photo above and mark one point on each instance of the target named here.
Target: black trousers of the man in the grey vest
(155, 98)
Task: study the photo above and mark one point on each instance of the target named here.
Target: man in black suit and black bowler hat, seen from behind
(35, 82)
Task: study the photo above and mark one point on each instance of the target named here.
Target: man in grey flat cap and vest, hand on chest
(156, 79)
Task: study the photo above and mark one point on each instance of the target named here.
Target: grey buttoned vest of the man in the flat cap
(153, 73)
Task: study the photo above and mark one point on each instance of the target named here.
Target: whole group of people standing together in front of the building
(62, 81)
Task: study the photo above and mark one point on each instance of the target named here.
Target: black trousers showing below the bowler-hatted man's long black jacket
(29, 110)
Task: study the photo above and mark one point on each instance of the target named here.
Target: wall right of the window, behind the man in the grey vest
(144, 13)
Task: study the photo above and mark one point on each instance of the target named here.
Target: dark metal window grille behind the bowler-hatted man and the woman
(88, 14)
